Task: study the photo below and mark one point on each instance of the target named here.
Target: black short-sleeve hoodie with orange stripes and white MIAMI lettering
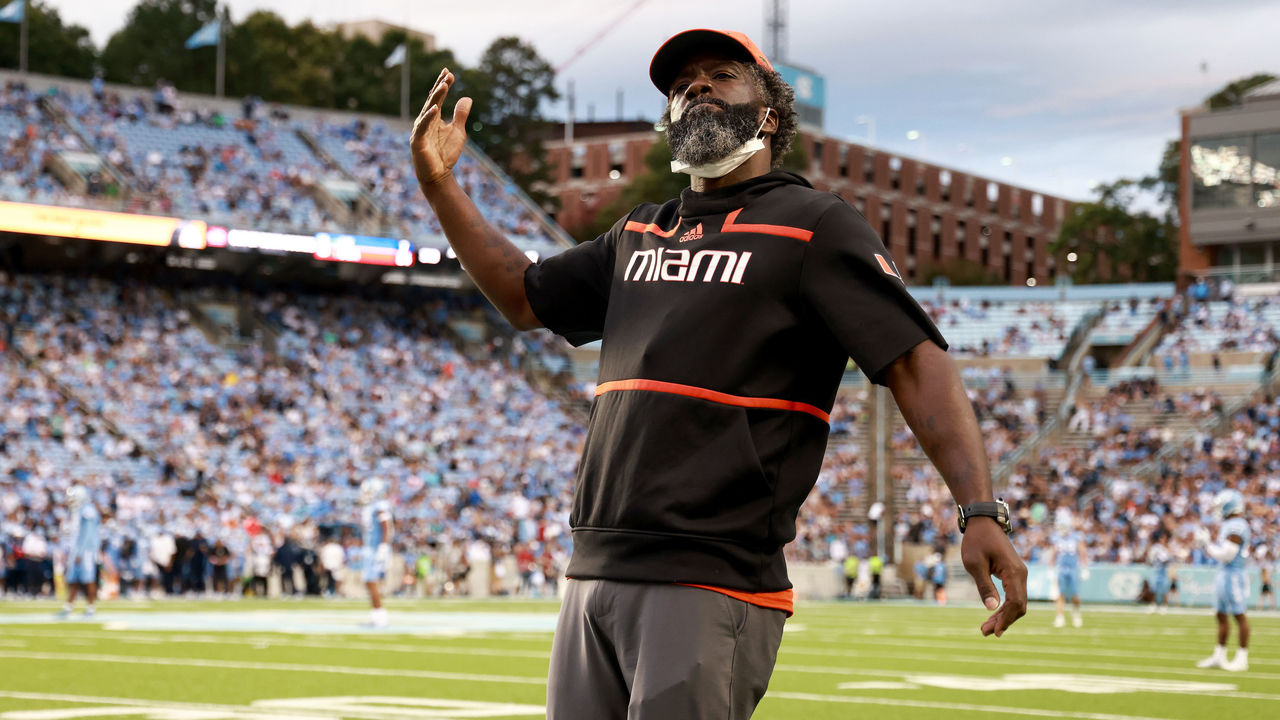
(728, 320)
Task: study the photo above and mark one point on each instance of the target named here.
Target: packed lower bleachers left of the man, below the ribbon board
(235, 446)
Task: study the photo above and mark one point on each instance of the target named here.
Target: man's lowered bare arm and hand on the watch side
(927, 388)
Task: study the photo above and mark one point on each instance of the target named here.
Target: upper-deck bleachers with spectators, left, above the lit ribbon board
(253, 171)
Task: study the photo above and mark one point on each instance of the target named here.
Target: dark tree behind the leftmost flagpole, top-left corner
(53, 48)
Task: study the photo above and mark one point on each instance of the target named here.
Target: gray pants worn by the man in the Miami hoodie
(652, 651)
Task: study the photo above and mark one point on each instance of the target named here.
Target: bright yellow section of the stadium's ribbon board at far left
(98, 225)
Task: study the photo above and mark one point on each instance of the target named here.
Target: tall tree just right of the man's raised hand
(510, 88)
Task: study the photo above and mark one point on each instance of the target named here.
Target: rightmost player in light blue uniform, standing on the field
(1232, 585)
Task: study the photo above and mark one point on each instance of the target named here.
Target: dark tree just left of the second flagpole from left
(152, 45)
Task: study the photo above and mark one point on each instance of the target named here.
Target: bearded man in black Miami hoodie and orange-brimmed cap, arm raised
(728, 318)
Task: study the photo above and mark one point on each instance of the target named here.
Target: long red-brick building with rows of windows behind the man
(927, 216)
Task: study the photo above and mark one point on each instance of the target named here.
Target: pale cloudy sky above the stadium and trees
(1055, 97)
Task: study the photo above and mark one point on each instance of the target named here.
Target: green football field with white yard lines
(310, 660)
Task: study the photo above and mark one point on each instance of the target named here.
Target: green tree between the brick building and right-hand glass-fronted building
(1109, 233)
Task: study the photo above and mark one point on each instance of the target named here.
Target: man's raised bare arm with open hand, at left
(492, 261)
